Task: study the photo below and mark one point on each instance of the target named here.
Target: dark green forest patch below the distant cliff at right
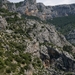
(64, 24)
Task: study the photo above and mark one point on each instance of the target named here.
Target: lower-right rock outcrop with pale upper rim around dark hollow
(57, 59)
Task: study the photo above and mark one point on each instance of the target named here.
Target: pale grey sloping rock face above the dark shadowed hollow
(46, 33)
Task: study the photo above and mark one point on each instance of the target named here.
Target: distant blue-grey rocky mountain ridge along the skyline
(31, 8)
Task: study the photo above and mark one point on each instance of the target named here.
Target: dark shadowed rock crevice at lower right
(58, 59)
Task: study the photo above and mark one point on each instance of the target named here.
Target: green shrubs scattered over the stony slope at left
(13, 58)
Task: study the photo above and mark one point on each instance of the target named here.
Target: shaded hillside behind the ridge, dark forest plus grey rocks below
(65, 25)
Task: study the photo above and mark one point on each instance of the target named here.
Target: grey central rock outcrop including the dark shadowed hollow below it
(47, 44)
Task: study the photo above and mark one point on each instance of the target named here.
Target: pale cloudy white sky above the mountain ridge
(50, 2)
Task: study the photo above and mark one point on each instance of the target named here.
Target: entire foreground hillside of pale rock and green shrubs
(33, 47)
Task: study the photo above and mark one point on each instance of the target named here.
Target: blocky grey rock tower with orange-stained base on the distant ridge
(28, 8)
